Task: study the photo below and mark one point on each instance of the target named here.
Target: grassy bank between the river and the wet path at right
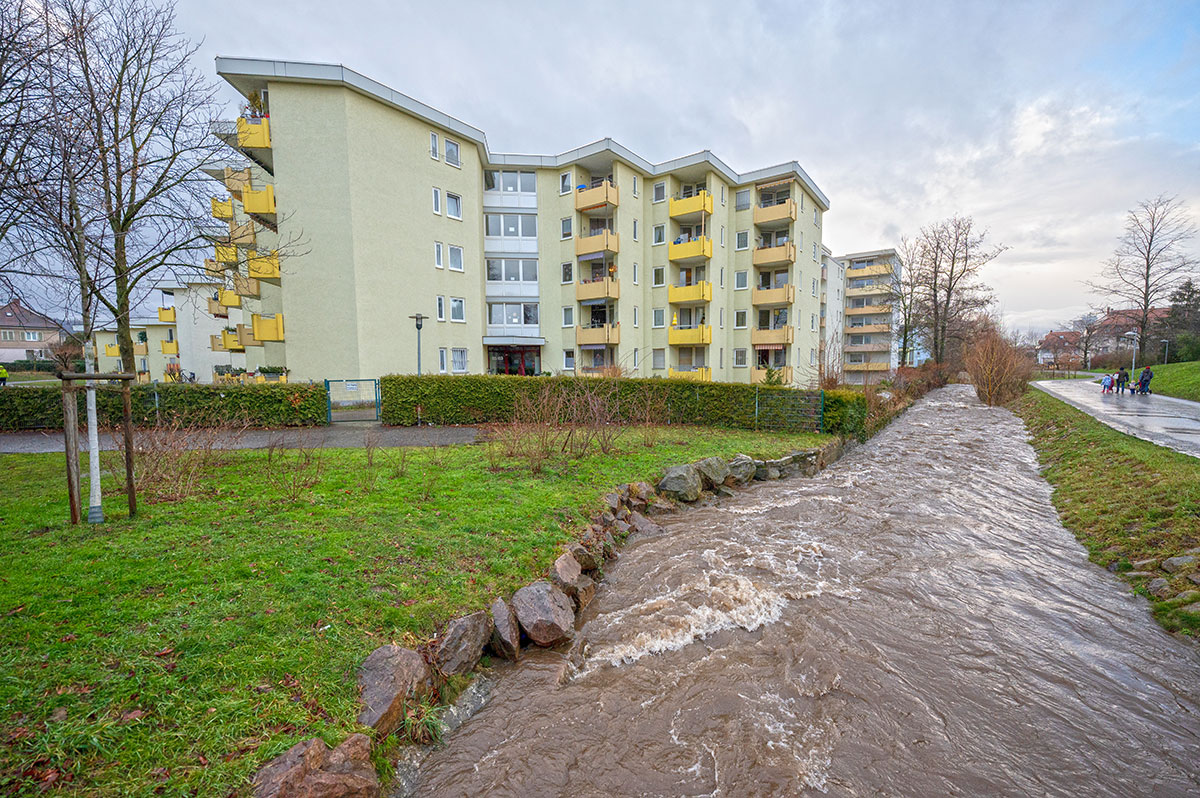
(1125, 499)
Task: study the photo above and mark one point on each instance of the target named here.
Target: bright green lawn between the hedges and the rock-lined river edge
(176, 653)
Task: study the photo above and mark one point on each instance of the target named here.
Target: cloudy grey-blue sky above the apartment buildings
(1047, 122)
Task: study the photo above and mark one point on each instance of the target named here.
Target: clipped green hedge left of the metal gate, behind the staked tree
(273, 405)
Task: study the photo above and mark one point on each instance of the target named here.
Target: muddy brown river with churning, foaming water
(915, 621)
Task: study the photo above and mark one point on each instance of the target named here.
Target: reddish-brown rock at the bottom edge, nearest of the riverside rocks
(310, 770)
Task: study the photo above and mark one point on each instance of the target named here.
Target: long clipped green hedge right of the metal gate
(477, 399)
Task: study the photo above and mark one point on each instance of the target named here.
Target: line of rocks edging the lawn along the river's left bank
(393, 680)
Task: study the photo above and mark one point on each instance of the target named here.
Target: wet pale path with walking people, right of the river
(1165, 421)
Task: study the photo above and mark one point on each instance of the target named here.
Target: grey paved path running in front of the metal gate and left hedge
(344, 435)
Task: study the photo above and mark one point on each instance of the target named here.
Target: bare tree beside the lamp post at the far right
(1151, 260)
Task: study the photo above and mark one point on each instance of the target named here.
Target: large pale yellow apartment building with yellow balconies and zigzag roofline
(352, 208)
